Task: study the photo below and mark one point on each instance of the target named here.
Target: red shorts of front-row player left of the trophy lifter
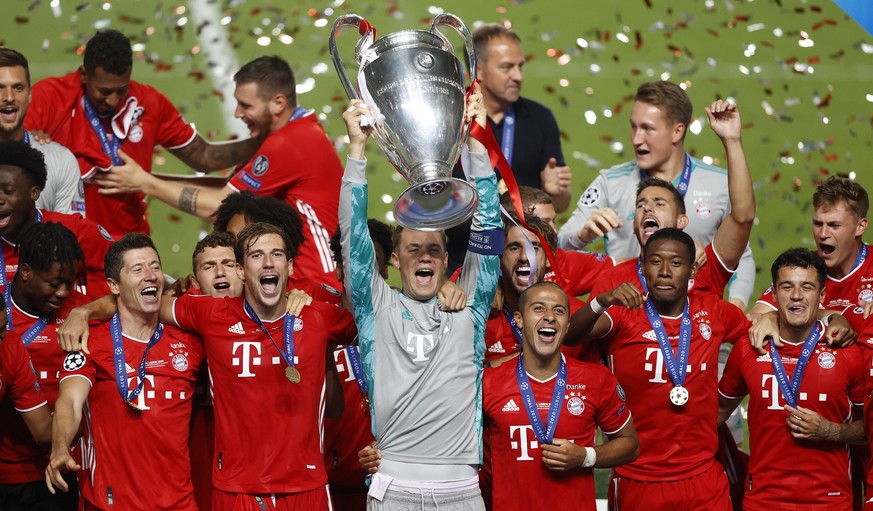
(312, 500)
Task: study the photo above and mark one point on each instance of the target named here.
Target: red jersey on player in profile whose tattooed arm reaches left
(299, 165)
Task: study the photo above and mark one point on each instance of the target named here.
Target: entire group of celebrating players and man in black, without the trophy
(286, 374)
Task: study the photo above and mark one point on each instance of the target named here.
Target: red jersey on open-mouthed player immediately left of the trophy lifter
(255, 451)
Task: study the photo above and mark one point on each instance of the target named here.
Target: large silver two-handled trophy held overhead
(414, 85)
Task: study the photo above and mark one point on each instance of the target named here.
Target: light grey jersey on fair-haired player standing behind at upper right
(706, 202)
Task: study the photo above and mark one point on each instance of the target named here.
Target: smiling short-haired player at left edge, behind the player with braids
(22, 177)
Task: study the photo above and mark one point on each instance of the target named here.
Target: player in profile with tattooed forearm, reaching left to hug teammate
(296, 164)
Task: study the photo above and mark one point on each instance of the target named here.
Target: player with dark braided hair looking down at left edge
(38, 300)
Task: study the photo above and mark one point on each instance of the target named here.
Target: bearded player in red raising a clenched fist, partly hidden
(659, 204)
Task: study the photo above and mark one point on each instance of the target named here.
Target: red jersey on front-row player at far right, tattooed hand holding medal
(786, 473)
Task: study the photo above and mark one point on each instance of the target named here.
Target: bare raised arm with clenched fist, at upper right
(733, 234)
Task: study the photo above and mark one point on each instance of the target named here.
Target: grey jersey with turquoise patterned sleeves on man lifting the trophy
(423, 366)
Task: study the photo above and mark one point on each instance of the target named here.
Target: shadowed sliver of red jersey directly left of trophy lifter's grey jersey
(344, 437)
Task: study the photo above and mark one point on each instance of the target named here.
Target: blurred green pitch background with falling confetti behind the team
(800, 71)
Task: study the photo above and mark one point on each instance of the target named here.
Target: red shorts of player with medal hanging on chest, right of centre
(707, 491)
